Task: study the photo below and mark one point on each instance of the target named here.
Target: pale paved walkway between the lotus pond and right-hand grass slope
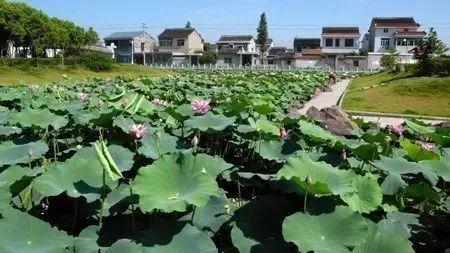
(328, 99)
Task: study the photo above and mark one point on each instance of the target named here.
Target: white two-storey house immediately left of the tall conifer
(238, 50)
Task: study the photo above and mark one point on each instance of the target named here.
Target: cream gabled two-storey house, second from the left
(179, 46)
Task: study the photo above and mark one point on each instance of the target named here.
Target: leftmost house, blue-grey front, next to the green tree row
(126, 44)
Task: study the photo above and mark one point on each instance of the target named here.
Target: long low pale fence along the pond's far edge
(260, 67)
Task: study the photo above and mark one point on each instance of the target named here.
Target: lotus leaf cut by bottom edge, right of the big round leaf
(386, 236)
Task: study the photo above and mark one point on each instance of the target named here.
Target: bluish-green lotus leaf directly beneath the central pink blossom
(209, 121)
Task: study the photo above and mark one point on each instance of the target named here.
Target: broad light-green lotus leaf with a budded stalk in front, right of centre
(325, 179)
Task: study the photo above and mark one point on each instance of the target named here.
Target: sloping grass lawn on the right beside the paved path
(400, 94)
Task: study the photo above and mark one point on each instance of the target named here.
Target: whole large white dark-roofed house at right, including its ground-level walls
(387, 33)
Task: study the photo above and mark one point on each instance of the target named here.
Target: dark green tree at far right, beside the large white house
(431, 48)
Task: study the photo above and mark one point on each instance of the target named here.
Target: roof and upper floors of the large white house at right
(399, 33)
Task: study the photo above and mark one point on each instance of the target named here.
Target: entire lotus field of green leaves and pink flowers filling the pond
(212, 162)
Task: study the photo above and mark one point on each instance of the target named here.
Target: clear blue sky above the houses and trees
(287, 18)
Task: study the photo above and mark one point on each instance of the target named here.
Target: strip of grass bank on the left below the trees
(16, 75)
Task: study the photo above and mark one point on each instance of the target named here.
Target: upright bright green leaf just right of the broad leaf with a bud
(367, 195)
